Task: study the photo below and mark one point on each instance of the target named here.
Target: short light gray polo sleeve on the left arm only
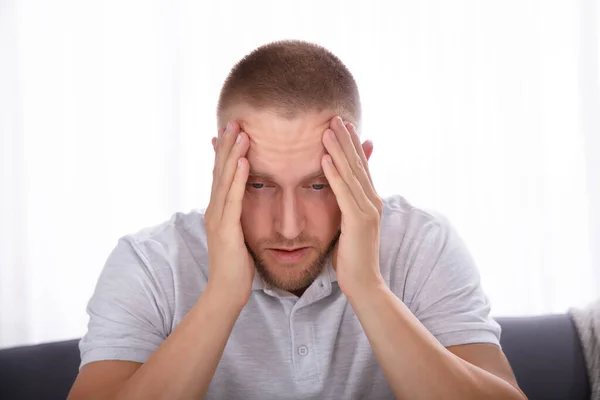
(127, 317)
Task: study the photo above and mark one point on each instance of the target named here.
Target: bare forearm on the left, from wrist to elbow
(183, 366)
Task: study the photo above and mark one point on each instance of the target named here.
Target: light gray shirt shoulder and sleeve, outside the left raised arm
(147, 285)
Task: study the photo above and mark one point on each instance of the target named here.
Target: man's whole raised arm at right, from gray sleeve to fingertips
(416, 364)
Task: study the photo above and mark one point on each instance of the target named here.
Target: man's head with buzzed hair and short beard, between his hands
(284, 95)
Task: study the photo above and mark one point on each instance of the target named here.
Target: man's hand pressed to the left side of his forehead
(231, 268)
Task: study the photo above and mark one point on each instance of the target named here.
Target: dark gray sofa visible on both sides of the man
(545, 354)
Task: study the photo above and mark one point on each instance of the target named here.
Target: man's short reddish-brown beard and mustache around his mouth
(292, 278)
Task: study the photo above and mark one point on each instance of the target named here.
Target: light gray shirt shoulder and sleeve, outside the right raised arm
(432, 271)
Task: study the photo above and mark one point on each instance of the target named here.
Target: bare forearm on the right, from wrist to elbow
(415, 364)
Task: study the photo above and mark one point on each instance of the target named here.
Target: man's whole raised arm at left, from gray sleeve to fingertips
(128, 323)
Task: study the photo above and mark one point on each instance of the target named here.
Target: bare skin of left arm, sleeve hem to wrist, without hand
(181, 368)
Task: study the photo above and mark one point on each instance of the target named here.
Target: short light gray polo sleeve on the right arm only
(447, 296)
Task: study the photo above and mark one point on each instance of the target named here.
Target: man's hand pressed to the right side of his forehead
(356, 256)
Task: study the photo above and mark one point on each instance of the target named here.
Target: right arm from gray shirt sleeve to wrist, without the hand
(444, 315)
